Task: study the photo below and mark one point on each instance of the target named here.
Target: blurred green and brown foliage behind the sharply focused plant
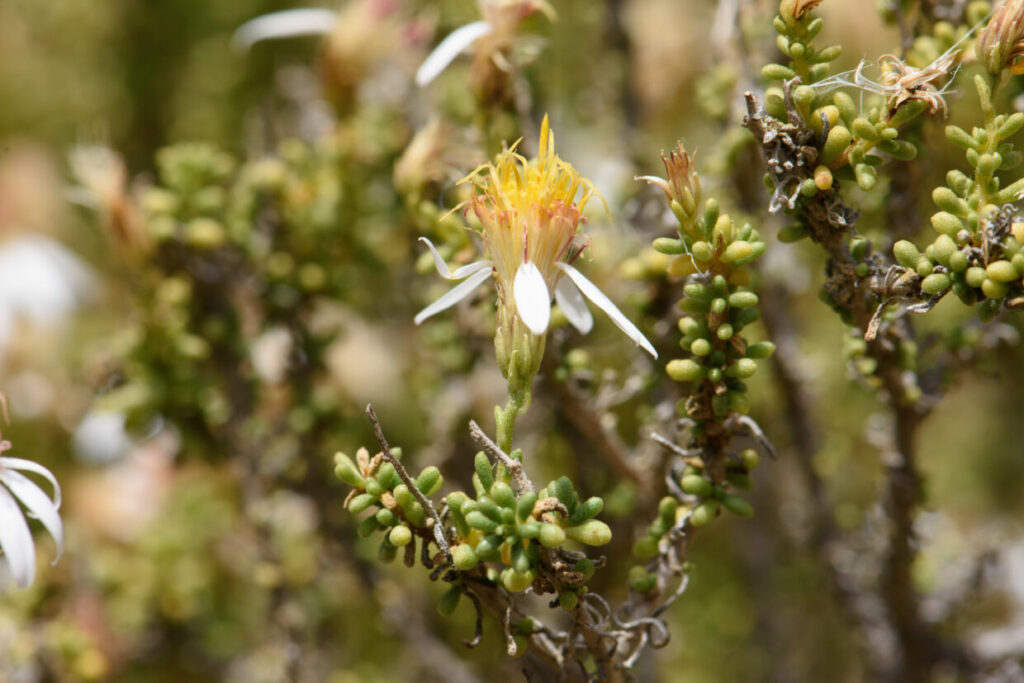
(217, 547)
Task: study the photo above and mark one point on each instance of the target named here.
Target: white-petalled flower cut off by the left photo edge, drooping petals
(16, 539)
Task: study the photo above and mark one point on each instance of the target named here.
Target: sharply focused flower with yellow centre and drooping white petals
(530, 221)
